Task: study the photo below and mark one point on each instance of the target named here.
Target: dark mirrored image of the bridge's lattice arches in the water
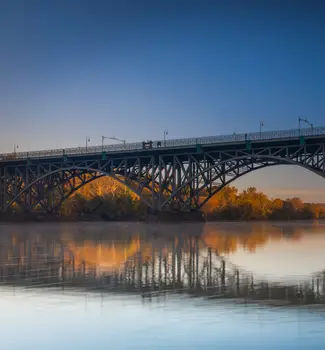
(184, 264)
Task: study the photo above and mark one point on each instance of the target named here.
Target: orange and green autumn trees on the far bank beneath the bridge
(107, 199)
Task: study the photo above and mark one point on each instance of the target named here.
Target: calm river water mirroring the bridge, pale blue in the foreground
(162, 286)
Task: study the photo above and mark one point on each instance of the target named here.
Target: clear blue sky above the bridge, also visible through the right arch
(131, 69)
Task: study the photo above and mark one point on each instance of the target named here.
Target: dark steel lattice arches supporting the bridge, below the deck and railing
(181, 181)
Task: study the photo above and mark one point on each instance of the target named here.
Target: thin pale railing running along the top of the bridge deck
(242, 137)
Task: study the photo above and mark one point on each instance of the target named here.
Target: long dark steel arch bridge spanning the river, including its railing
(179, 174)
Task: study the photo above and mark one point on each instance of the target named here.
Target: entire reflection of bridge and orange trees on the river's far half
(196, 259)
